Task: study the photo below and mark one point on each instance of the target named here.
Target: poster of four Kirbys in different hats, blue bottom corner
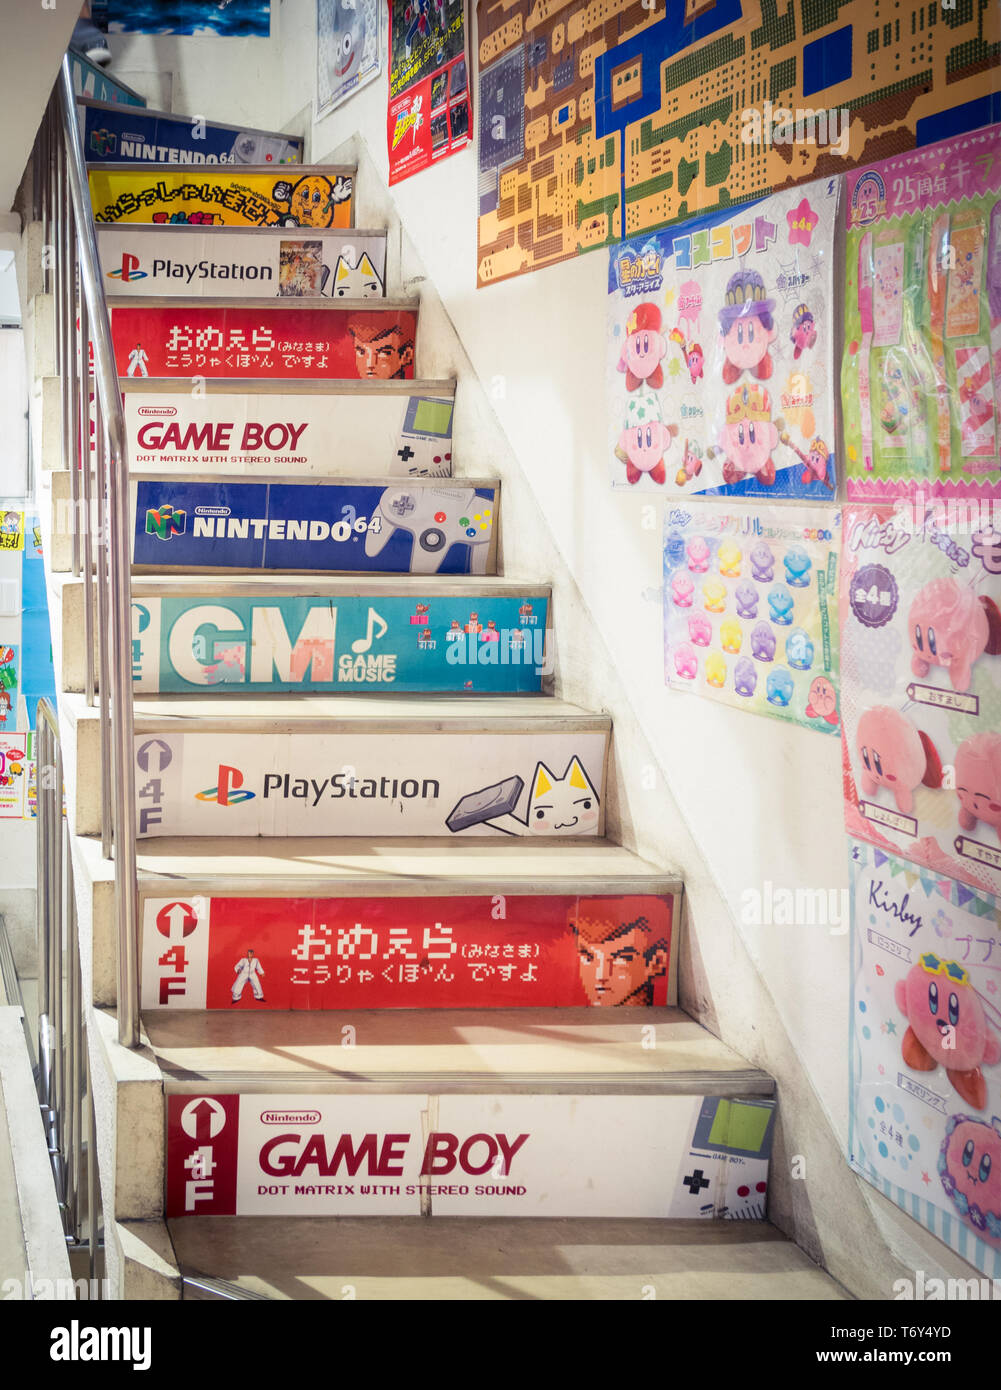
(721, 354)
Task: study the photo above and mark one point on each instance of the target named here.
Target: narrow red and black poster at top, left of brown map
(429, 115)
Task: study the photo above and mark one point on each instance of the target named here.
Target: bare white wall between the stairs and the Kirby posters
(738, 800)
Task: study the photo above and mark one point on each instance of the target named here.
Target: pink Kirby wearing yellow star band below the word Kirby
(947, 1027)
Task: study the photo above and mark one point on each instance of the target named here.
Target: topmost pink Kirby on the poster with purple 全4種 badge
(952, 626)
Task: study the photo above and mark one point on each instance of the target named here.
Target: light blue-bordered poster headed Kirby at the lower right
(925, 1118)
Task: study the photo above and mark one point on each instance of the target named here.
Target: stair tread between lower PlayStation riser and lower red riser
(316, 865)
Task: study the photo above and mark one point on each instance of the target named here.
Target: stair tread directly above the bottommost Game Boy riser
(444, 1049)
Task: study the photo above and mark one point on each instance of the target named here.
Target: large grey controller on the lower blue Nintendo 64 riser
(437, 519)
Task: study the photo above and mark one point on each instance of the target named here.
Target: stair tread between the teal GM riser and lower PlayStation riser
(173, 714)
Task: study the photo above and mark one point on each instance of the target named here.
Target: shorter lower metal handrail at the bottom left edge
(66, 1092)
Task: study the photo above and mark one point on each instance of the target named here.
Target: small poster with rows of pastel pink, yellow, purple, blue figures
(750, 603)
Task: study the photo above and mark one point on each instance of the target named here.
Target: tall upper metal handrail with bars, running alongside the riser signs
(80, 261)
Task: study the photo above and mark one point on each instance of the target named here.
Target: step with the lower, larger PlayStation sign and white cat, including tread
(387, 765)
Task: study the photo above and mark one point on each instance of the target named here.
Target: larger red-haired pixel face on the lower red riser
(621, 956)
